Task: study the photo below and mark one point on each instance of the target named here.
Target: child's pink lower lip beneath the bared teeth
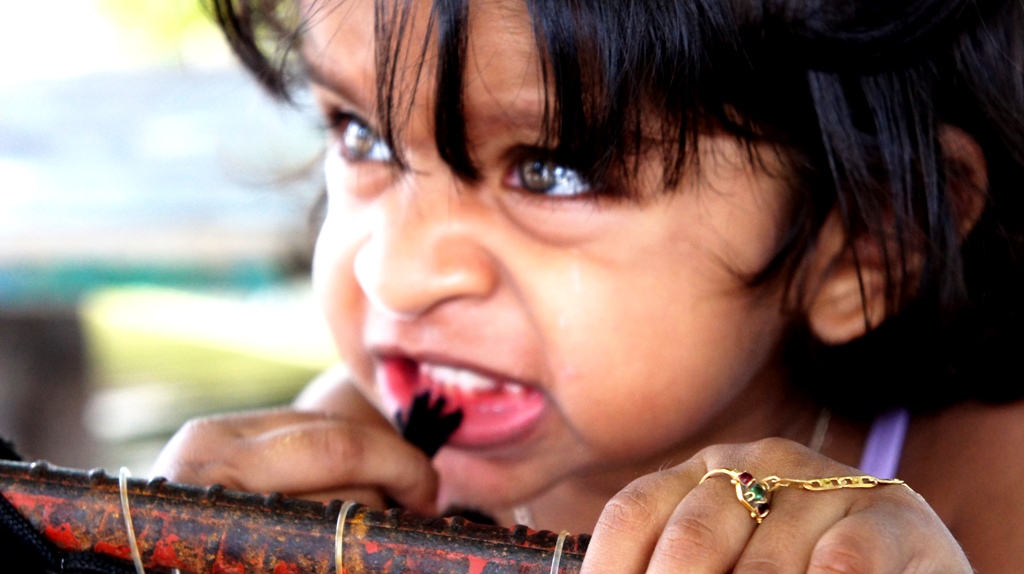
(490, 419)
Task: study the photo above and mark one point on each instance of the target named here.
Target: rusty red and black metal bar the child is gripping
(228, 533)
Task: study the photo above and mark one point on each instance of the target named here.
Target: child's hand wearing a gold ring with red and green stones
(667, 522)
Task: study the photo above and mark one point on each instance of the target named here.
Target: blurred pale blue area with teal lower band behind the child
(166, 175)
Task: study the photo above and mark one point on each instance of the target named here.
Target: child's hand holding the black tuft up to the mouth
(348, 451)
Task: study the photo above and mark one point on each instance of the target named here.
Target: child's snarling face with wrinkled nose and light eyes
(582, 338)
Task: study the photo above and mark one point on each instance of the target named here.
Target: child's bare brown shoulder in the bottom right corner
(968, 462)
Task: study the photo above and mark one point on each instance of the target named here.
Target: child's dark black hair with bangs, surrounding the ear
(852, 94)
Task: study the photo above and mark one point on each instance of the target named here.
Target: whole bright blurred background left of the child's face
(155, 232)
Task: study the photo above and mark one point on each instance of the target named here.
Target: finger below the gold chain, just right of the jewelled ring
(785, 541)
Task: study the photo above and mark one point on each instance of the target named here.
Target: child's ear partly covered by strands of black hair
(842, 304)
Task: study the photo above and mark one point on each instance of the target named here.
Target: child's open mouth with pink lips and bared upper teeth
(496, 411)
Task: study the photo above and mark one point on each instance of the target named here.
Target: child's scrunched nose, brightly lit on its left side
(425, 251)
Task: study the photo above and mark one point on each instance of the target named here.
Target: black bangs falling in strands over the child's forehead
(608, 104)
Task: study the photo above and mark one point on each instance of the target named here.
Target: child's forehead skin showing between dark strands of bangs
(502, 79)
